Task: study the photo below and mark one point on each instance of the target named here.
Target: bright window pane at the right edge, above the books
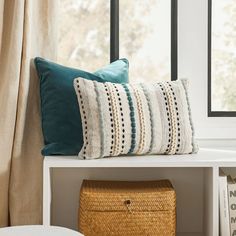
(223, 55)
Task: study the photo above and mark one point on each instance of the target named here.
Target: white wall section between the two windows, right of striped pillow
(193, 63)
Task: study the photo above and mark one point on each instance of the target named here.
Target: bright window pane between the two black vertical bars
(145, 38)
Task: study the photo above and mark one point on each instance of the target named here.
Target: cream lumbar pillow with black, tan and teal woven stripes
(120, 119)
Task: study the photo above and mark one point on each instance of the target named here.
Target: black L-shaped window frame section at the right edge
(210, 112)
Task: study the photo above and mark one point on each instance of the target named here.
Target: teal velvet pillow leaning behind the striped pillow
(61, 120)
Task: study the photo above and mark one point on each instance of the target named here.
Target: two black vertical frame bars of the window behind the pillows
(114, 35)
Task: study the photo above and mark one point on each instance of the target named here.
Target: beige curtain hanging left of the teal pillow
(27, 29)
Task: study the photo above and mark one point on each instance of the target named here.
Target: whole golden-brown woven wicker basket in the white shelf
(127, 208)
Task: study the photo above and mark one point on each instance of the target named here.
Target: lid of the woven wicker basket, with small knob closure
(127, 196)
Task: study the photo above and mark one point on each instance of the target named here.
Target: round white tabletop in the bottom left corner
(37, 230)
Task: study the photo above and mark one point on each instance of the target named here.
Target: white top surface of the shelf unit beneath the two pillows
(204, 158)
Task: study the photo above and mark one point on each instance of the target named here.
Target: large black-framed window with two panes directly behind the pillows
(93, 32)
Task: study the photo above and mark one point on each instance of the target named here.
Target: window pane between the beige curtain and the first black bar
(84, 33)
